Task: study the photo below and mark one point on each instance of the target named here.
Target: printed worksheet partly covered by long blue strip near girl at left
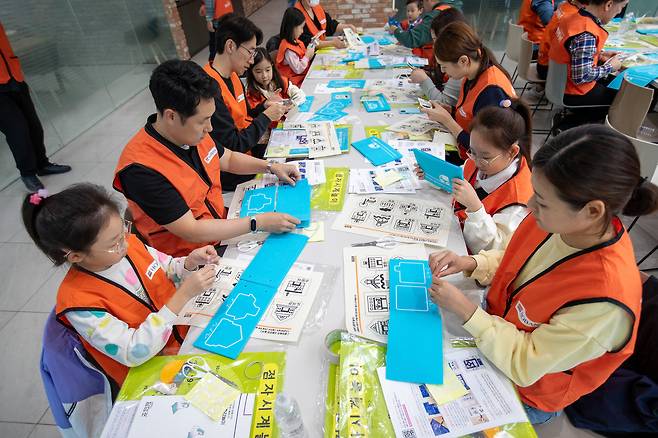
(286, 315)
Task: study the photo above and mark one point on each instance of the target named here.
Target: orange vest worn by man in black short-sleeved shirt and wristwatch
(204, 201)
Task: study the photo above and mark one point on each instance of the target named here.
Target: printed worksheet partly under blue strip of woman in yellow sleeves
(366, 287)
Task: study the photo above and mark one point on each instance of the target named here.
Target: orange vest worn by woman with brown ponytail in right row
(492, 76)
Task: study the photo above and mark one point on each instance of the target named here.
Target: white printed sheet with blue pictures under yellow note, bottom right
(491, 401)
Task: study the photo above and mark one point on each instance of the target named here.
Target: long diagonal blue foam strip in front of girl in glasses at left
(230, 328)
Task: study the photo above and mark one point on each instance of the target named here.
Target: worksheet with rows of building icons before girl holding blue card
(389, 215)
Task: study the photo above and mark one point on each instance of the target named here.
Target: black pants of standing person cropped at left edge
(20, 124)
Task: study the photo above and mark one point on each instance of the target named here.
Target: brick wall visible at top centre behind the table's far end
(361, 13)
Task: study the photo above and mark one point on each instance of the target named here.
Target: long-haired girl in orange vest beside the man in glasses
(265, 82)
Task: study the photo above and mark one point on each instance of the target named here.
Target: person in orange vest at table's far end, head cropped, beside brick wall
(320, 25)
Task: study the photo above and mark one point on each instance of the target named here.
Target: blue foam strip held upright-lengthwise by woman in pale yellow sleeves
(415, 340)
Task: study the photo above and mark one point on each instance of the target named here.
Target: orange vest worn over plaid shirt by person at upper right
(568, 28)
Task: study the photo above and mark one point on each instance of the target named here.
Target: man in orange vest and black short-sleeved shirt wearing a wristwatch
(170, 170)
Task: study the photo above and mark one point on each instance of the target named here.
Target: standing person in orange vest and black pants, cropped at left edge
(20, 123)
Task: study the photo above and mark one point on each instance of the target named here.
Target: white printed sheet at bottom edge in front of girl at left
(175, 417)
